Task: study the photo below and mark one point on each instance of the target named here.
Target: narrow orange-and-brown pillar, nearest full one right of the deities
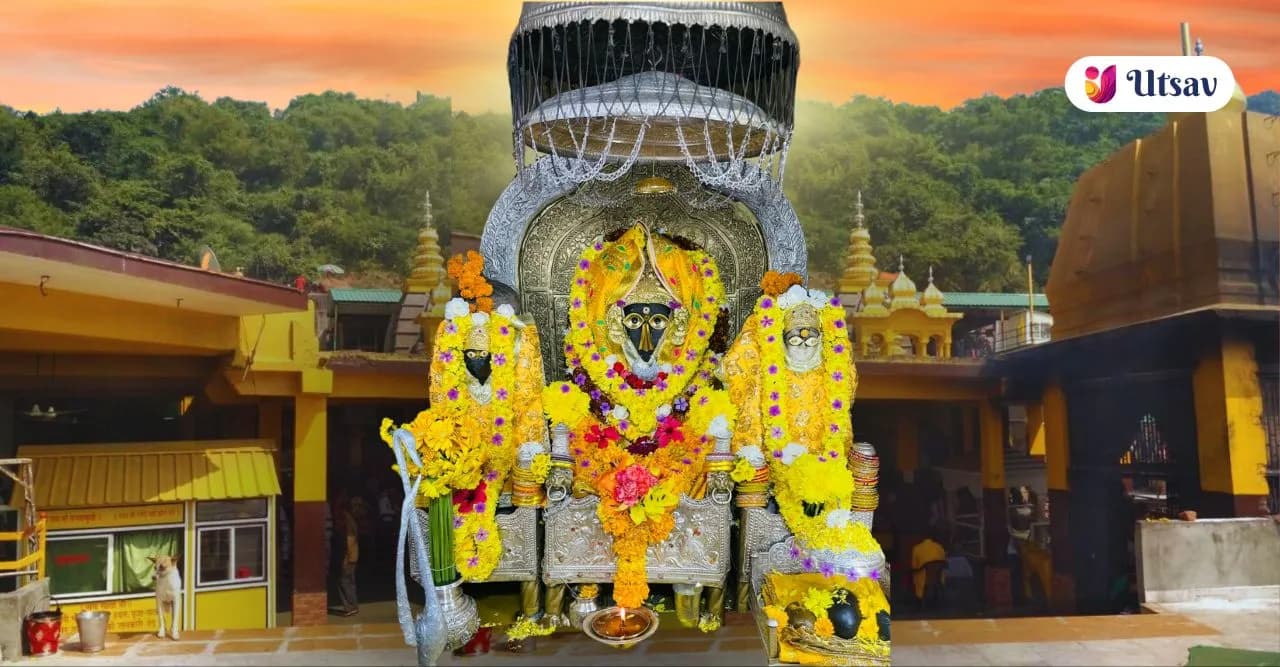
(991, 441)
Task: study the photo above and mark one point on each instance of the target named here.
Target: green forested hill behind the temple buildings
(335, 179)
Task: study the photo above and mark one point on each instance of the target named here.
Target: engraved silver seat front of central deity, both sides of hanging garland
(579, 551)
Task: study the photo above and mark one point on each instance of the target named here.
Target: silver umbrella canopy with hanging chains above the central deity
(601, 86)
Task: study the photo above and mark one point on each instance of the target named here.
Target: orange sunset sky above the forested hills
(115, 54)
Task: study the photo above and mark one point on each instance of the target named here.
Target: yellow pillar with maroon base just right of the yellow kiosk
(310, 481)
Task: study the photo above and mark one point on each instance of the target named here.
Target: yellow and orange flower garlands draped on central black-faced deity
(639, 444)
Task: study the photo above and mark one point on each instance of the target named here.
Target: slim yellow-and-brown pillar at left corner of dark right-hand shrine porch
(1062, 593)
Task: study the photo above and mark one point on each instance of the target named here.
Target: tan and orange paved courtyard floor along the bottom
(1158, 639)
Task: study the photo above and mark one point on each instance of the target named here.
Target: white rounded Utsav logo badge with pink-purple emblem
(1174, 84)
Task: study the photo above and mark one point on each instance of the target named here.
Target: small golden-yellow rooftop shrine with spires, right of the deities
(899, 323)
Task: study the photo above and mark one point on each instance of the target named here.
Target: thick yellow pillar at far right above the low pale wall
(1229, 433)
